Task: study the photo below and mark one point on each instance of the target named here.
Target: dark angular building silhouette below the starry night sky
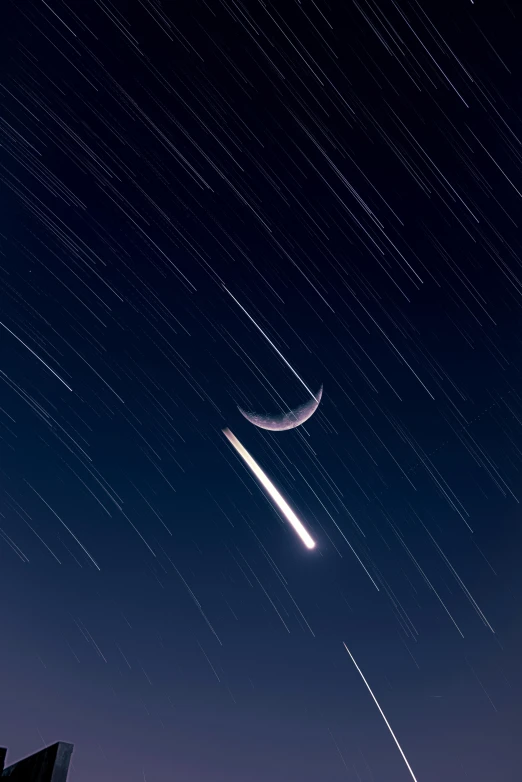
(48, 765)
